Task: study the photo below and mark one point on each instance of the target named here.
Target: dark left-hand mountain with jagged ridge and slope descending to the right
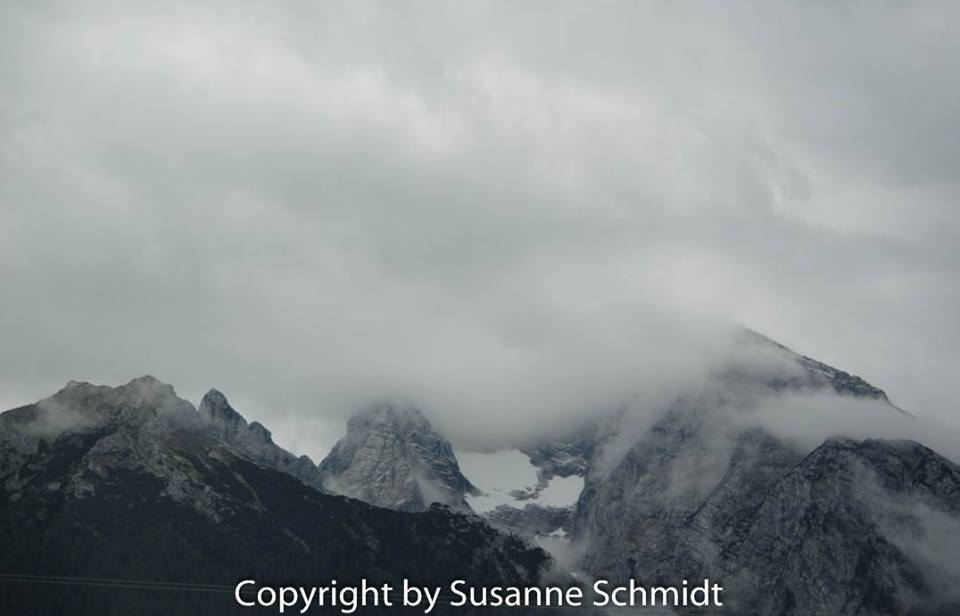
(133, 483)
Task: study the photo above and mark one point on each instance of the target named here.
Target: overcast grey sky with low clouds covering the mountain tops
(491, 209)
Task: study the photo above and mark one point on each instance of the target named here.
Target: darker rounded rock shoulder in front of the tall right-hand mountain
(865, 521)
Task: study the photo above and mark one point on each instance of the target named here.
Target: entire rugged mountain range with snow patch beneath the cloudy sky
(133, 482)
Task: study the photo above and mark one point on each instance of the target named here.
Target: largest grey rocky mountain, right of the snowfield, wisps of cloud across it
(852, 527)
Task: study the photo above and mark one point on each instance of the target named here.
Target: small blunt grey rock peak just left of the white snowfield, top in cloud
(391, 457)
